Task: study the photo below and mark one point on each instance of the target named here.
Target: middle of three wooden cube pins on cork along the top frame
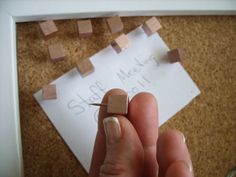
(85, 28)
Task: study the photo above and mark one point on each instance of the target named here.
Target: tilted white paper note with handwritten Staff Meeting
(141, 67)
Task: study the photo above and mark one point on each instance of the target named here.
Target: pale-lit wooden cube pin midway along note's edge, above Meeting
(120, 43)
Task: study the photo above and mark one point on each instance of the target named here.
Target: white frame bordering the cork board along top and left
(11, 163)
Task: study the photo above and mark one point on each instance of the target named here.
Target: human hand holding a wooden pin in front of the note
(130, 146)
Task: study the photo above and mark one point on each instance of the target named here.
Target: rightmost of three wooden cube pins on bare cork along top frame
(115, 24)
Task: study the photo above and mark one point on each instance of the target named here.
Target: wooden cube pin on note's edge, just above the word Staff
(85, 67)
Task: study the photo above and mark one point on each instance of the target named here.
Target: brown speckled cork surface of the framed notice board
(208, 122)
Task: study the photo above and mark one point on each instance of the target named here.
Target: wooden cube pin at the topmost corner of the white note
(151, 26)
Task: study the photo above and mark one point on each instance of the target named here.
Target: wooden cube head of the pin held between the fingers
(118, 104)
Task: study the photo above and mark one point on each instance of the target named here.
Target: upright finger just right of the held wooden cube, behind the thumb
(143, 114)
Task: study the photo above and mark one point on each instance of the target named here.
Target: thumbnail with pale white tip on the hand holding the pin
(112, 129)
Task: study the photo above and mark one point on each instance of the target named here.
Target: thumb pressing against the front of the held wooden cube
(124, 152)
